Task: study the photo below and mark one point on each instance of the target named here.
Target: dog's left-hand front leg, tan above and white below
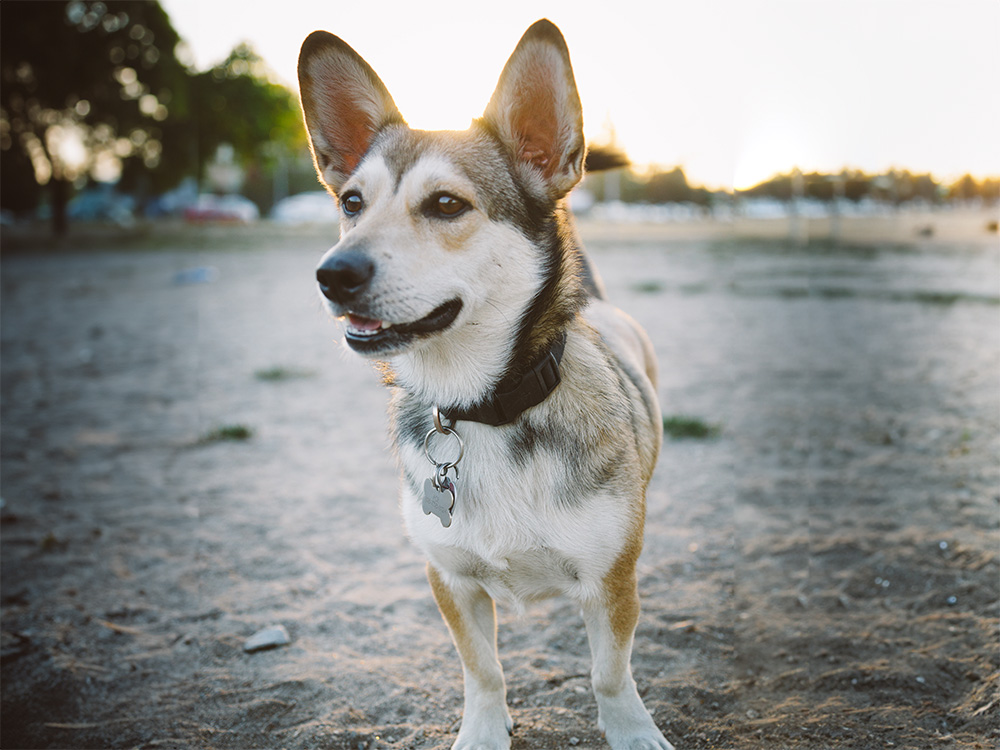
(471, 618)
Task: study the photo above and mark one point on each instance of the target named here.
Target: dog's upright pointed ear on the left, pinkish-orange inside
(344, 103)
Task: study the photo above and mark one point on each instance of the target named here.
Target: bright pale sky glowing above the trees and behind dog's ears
(733, 90)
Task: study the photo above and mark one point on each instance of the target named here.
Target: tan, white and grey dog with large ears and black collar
(524, 411)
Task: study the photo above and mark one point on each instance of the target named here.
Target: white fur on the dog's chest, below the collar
(507, 530)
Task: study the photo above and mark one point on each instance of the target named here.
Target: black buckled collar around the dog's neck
(515, 396)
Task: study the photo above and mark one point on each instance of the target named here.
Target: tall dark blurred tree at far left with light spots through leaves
(85, 87)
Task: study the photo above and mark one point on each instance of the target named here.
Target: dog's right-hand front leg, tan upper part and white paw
(610, 623)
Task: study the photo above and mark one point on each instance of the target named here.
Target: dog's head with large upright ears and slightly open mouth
(439, 230)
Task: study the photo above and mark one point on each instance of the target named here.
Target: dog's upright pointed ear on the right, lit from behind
(536, 109)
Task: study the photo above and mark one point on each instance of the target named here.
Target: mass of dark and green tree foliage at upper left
(96, 89)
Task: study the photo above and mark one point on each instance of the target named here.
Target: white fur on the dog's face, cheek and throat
(457, 366)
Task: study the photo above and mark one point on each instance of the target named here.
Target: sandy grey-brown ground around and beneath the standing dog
(823, 573)
